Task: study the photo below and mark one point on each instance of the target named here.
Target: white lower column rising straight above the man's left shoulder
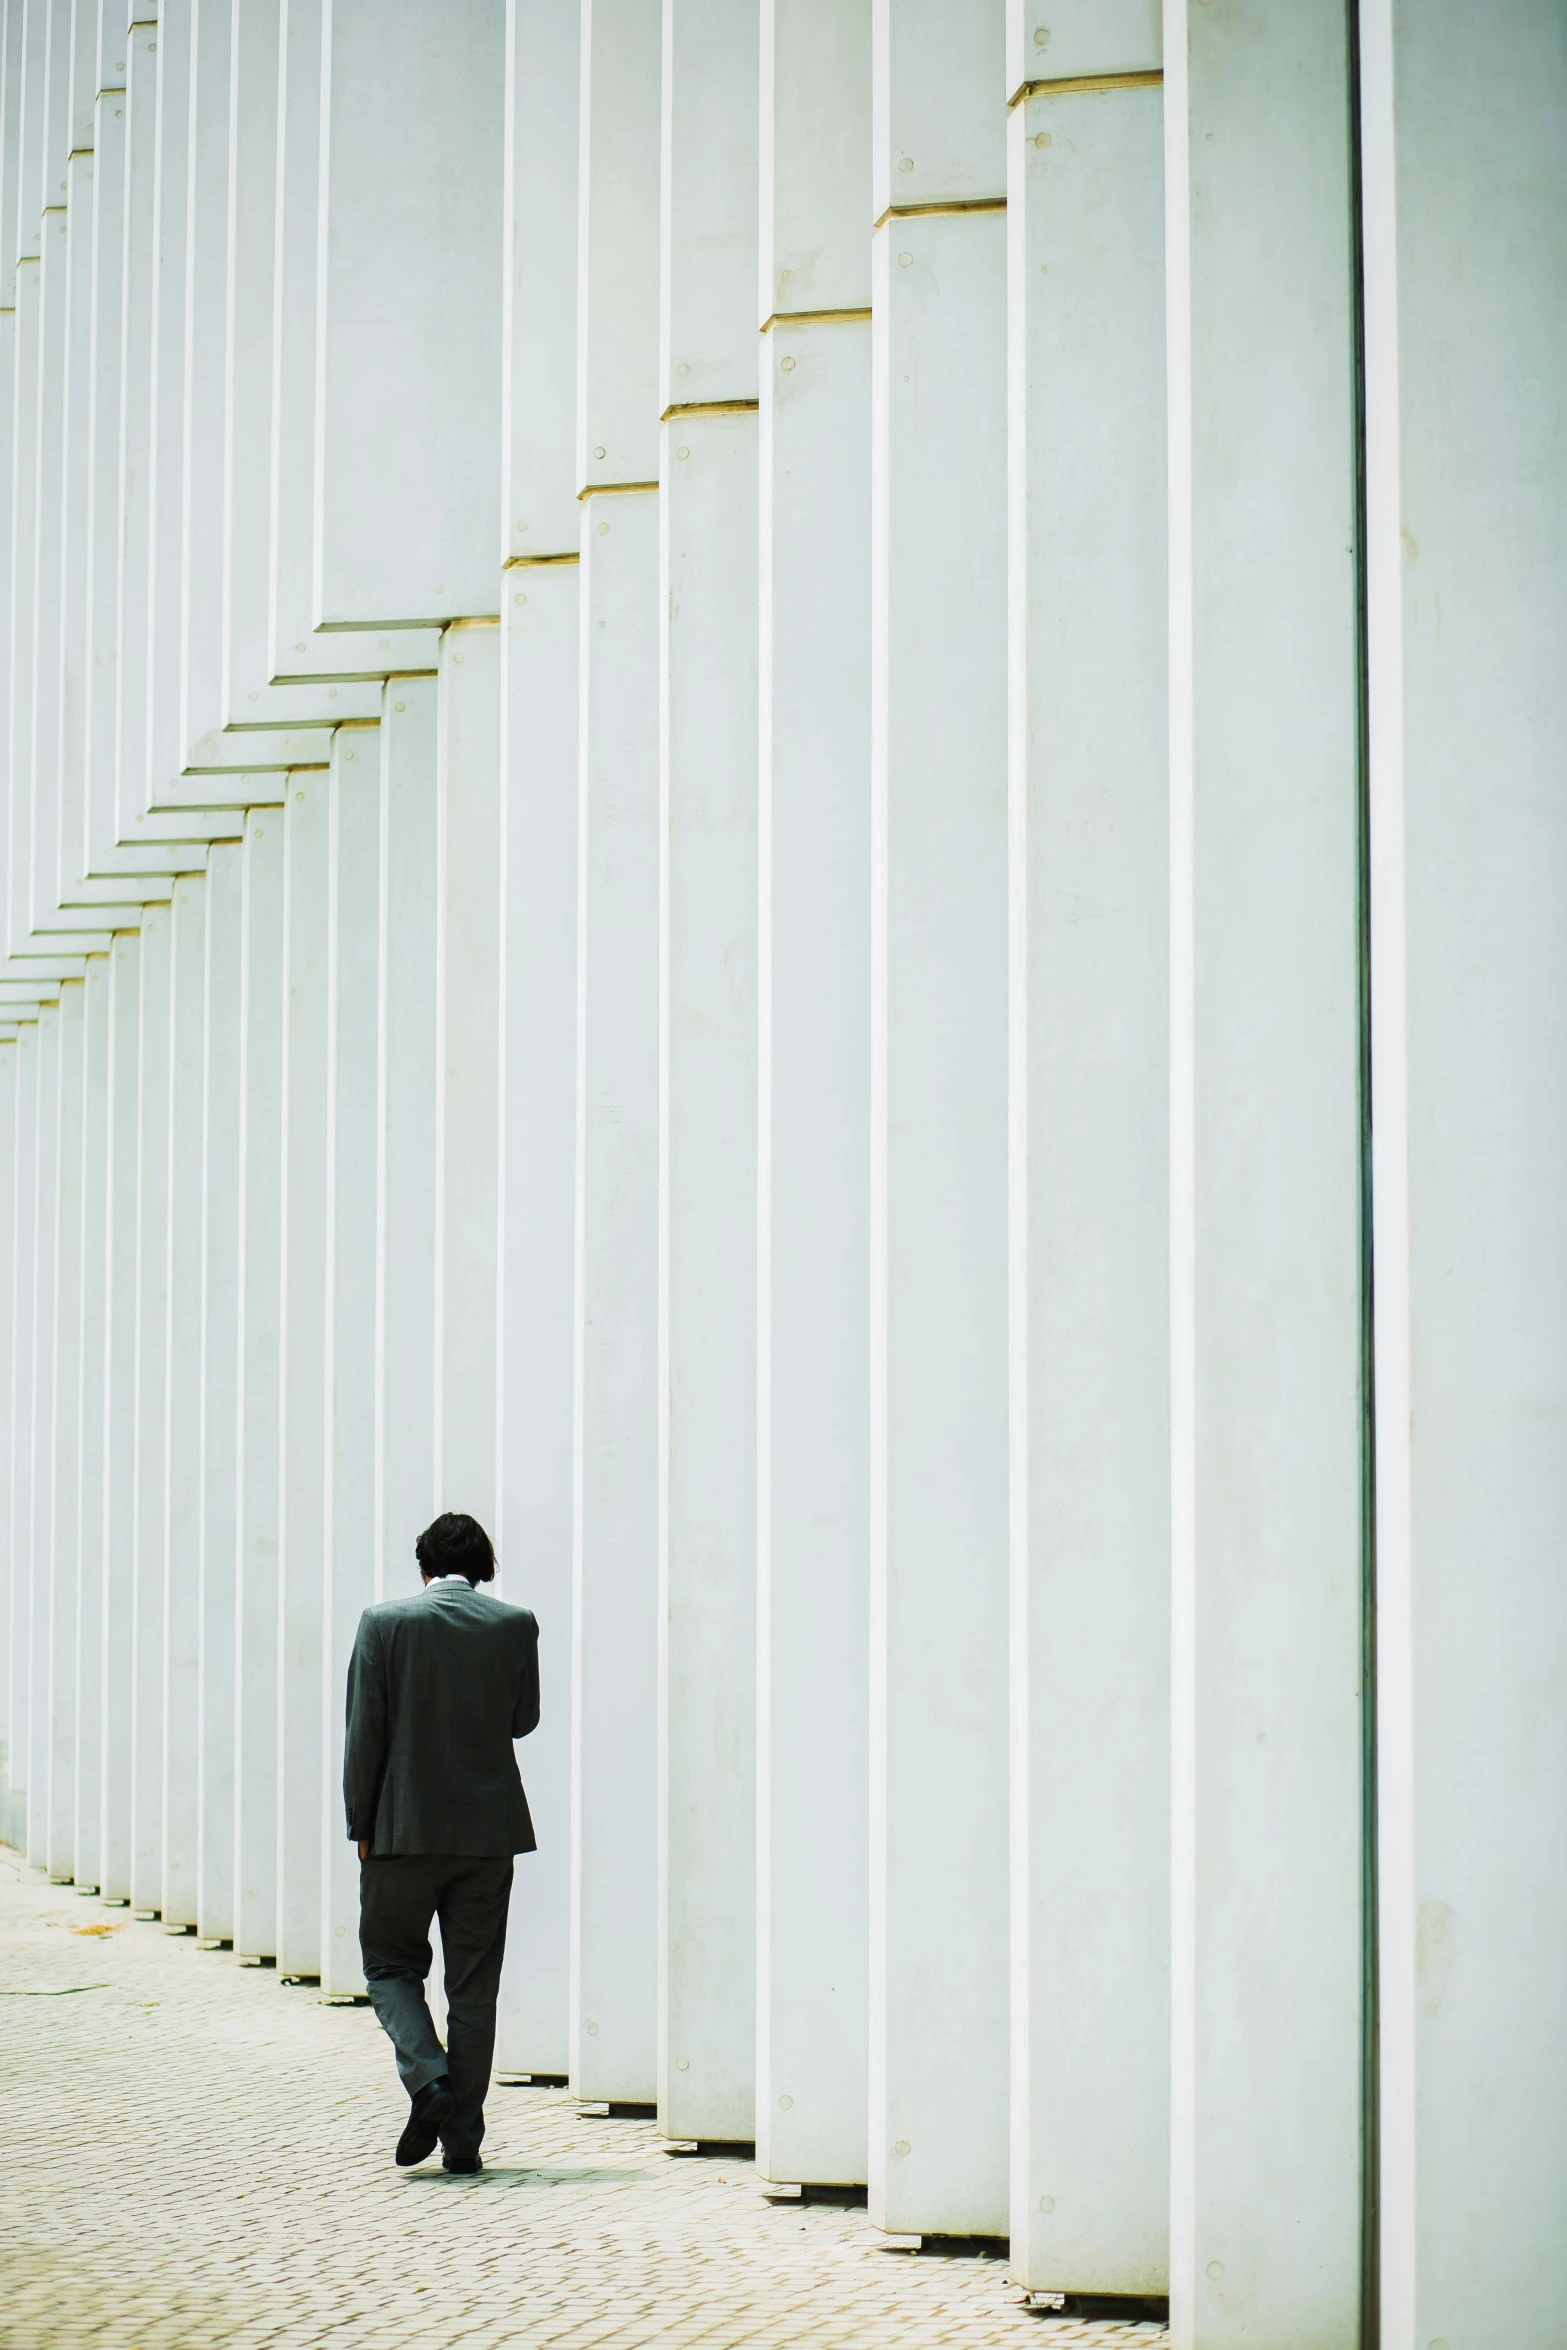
(405, 1139)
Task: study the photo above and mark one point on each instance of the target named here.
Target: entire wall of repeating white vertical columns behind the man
(739, 741)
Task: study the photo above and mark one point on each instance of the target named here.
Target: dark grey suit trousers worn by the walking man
(398, 1898)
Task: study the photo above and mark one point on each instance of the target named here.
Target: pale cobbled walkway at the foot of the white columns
(196, 2154)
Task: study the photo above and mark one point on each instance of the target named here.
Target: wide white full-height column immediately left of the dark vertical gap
(1265, 1181)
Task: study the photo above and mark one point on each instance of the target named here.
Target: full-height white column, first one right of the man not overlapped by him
(614, 1733)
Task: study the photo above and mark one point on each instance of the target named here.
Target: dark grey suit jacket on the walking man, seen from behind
(438, 1688)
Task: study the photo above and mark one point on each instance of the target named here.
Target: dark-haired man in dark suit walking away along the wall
(438, 1691)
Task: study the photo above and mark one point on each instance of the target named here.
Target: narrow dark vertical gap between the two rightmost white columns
(1371, 2114)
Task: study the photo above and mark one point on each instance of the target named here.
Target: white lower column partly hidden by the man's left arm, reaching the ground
(349, 1566)
